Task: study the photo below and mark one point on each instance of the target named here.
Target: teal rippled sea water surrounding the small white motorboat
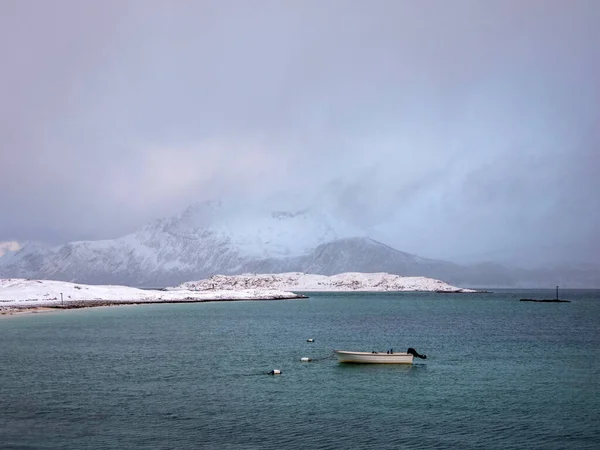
(499, 374)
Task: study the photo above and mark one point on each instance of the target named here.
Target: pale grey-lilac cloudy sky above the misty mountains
(463, 130)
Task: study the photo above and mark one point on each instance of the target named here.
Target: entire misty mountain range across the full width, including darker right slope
(212, 238)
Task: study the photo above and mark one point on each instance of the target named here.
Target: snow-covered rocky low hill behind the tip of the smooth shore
(303, 282)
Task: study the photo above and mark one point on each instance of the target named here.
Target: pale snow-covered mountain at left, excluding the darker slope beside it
(205, 239)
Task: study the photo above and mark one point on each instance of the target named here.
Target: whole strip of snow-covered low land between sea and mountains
(19, 294)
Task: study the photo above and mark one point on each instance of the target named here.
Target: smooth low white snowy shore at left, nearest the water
(21, 293)
